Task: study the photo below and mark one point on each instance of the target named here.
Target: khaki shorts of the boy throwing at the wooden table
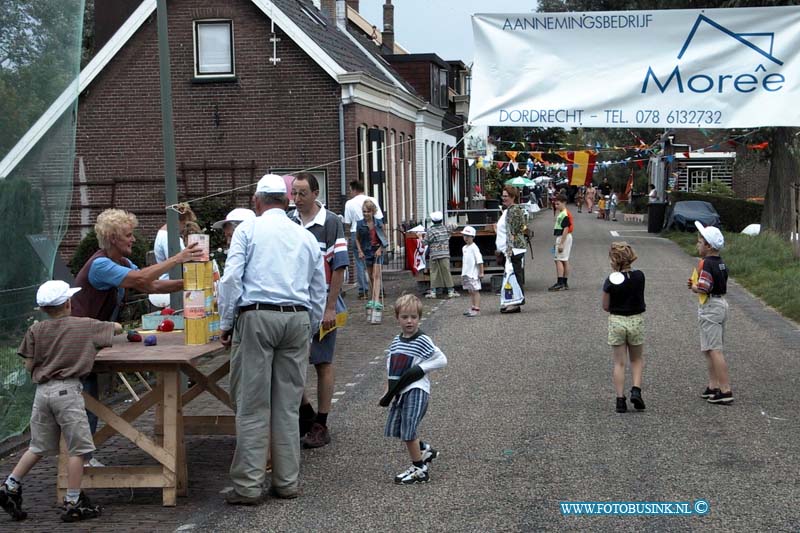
(58, 409)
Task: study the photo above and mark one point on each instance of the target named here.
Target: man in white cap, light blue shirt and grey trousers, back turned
(275, 281)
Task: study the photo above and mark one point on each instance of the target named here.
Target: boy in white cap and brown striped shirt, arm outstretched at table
(58, 352)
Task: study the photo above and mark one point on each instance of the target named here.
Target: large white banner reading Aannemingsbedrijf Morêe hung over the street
(711, 68)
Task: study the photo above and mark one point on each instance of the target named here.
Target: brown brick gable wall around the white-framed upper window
(278, 117)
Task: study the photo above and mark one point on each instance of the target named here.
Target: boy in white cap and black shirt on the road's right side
(711, 284)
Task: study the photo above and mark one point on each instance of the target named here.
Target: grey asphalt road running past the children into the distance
(524, 416)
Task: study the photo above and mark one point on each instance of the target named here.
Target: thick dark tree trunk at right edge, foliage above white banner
(783, 147)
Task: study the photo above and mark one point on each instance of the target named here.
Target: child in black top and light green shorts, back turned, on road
(623, 298)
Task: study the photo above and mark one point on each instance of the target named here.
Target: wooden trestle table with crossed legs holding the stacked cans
(167, 360)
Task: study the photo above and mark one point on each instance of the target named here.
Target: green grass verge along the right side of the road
(765, 265)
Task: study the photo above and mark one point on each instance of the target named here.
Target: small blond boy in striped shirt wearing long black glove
(411, 357)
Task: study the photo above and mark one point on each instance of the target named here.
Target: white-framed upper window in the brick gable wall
(213, 49)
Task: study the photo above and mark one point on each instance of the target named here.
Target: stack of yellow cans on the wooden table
(199, 304)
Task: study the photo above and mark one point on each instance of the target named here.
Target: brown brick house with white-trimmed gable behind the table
(258, 86)
